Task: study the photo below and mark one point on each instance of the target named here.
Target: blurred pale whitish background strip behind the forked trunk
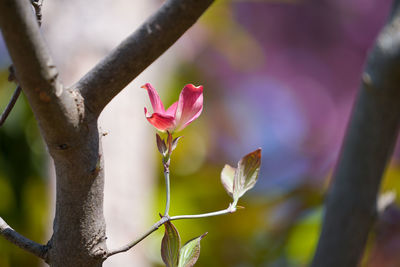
(128, 146)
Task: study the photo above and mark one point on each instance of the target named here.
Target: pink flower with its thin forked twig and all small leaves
(236, 180)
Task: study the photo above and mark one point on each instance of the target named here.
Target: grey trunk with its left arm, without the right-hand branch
(71, 134)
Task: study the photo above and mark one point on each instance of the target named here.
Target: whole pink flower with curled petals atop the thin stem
(180, 114)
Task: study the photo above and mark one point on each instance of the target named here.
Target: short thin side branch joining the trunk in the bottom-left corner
(21, 241)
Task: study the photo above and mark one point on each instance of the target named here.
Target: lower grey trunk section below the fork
(79, 230)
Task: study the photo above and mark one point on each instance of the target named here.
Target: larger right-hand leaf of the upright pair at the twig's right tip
(246, 174)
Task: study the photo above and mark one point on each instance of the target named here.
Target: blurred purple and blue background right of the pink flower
(293, 96)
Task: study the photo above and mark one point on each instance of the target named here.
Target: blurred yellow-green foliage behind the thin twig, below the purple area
(274, 230)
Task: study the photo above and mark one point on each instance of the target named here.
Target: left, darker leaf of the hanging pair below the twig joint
(170, 245)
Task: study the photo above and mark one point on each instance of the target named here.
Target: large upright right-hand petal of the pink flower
(190, 105)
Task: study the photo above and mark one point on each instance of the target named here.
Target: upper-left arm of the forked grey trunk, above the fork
(53, 107)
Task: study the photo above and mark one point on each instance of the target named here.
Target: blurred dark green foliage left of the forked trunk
(23, 188)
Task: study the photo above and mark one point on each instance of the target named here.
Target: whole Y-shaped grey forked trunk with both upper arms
(67, 119)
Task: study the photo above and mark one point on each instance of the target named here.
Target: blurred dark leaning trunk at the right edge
(368, 145)
